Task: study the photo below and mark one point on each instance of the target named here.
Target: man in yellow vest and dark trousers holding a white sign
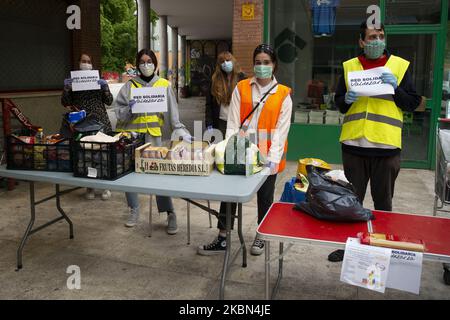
(371, 134)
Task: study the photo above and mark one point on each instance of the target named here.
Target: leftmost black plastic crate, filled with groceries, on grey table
(42, 157)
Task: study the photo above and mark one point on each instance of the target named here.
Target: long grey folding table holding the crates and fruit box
(216, 187)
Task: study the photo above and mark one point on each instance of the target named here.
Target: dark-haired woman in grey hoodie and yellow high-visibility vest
(149, 124)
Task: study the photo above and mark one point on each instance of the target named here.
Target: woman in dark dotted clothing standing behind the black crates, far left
(93, 102)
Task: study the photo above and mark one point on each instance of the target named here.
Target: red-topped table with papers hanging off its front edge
(285, 224)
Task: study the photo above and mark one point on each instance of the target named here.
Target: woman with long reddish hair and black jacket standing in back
(226, 75)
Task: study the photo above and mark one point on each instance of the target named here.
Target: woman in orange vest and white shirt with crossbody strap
(268, 127)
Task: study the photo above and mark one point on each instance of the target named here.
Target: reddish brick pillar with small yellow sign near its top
(247, 34)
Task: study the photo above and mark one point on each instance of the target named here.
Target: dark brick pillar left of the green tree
(87, 39)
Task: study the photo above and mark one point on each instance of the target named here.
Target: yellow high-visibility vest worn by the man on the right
(378, 120)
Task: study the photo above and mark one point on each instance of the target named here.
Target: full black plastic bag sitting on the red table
(331, 200)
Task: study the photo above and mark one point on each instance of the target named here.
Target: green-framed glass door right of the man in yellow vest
(423, 44)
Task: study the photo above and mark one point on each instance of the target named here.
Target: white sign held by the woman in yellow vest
(149, 99)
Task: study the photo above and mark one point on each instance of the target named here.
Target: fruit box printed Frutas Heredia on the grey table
(177, 167)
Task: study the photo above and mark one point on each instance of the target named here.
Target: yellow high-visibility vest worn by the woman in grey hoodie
(145, 123)
